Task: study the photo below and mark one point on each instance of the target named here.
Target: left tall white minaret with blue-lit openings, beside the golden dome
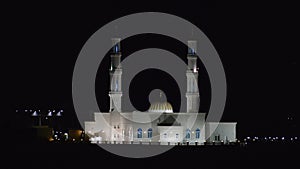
(115, 92)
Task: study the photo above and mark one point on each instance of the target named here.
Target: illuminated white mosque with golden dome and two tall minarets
(158, 125)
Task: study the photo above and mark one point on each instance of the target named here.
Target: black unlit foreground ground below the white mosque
(73, 156)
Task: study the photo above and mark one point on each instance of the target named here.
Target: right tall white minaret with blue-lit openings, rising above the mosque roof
(192, 93)
